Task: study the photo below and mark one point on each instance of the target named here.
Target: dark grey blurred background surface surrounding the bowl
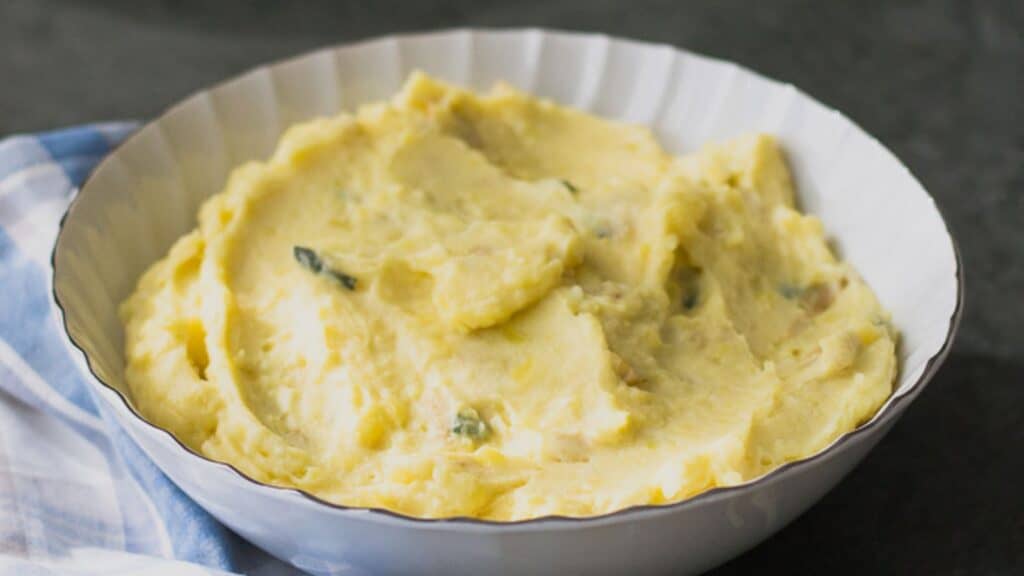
(941, 84)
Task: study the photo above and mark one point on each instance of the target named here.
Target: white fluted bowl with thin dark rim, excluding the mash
(146, 195)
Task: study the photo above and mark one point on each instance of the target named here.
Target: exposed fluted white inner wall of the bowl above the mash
(147, 194)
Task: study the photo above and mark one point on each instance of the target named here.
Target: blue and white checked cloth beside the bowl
(77, 497)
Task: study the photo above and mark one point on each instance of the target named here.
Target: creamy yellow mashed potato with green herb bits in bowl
(490, 306)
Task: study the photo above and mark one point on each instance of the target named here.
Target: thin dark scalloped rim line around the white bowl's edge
(882, 417)
